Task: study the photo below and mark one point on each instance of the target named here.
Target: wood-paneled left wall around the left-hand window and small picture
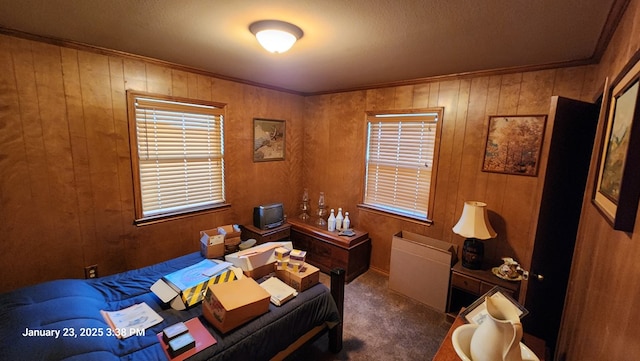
(66, 194)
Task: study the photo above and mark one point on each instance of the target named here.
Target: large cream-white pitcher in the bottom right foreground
(498, 336)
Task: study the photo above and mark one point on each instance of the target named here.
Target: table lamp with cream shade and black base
(474, 225)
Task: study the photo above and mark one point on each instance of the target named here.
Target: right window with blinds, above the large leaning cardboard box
(401, 161)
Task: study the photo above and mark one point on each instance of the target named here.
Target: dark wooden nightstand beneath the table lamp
(467, 285)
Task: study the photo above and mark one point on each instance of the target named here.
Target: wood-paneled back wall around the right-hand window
(335, 147)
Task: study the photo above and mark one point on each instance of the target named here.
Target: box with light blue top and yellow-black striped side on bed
(186, 287)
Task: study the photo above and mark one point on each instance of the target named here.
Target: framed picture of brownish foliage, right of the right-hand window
(513, 144)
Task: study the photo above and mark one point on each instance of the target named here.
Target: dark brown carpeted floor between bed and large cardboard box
(380, 324)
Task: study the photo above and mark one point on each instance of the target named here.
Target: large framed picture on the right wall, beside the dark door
(617, 187)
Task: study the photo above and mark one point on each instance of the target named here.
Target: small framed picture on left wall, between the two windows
(268, 140)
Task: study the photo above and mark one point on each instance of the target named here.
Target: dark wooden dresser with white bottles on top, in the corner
(326, 250)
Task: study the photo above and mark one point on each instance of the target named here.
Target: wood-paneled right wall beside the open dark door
(602, 318)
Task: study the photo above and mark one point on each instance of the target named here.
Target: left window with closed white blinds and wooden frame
(177, 152)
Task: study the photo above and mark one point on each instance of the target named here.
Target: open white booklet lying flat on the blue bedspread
(132, 320)
